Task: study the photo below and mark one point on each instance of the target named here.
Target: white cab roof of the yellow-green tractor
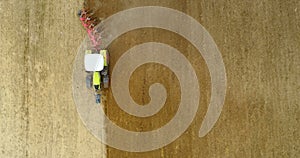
(93, 62)
